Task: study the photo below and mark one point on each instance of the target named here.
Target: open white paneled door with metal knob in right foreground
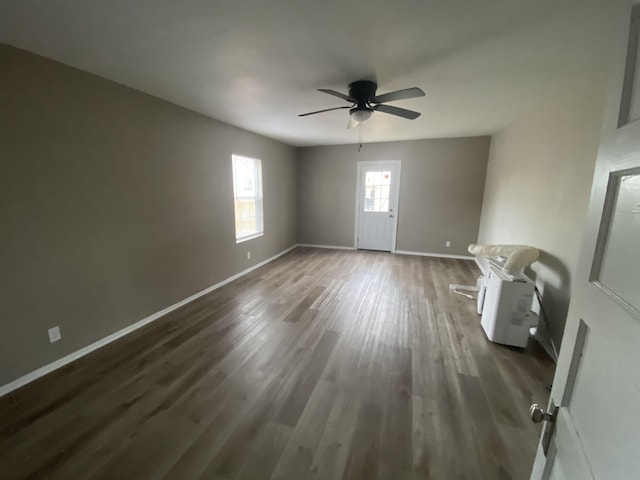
(597, 382)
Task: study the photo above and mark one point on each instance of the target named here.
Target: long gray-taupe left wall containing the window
(113, 206)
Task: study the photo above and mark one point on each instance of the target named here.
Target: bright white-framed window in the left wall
(247, 192)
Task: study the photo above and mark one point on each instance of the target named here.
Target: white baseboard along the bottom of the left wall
(42, 371)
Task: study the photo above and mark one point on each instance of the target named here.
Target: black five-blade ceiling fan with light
(364, 101)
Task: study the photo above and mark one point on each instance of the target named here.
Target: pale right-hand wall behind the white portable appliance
(538, 183)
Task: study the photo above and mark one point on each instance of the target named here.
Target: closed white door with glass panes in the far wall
(377, 205)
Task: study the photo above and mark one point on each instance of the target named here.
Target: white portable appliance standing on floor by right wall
(506, 307)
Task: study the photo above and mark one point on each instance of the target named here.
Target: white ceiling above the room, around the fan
(257, 63)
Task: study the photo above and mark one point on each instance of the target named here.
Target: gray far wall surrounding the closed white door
(442, 182)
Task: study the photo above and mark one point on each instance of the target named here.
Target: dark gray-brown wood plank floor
(324, 364)
